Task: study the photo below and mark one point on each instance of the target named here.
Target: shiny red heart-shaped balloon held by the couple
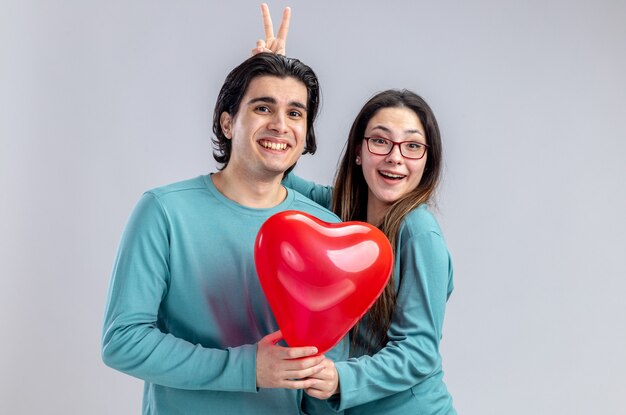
(320, 278)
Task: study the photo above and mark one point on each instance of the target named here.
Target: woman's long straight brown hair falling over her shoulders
(350, 196)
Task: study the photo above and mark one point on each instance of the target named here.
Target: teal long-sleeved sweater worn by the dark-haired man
(185, 308)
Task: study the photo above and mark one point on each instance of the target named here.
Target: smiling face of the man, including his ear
(269, 131)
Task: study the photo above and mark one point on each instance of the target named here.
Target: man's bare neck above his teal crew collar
(250, 192)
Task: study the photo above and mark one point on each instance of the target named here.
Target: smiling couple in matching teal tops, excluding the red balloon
(185, 310)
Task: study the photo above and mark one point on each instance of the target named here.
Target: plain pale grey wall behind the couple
(100, 101)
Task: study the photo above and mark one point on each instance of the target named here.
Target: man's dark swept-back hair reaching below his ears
(236, 85)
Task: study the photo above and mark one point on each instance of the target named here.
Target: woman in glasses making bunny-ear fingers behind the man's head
(388, 174)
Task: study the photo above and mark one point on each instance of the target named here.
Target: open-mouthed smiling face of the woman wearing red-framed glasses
(391, 176)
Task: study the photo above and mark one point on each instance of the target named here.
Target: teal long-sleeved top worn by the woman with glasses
(405, 376)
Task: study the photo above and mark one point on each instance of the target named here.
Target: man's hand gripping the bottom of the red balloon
(286, 367)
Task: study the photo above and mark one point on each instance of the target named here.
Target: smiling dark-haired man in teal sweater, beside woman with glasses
(185, 311)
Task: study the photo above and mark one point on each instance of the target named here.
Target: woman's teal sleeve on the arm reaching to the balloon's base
(411, 355)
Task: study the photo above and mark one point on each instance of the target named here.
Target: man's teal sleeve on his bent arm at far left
(132, 341)
